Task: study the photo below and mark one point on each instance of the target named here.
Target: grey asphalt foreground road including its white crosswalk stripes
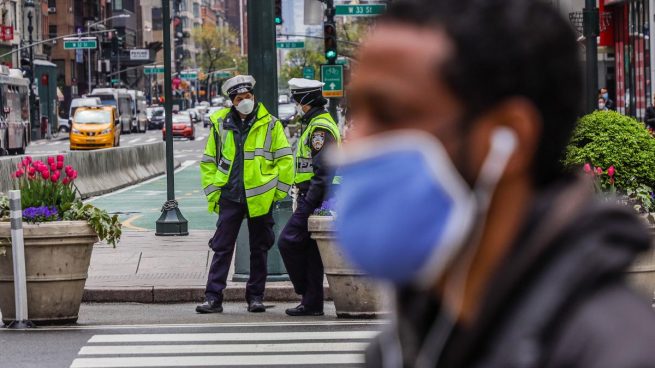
(107, 337)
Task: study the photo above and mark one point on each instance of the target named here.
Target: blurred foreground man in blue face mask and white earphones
(453, 192)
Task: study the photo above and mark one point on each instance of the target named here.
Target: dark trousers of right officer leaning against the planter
(302, 258)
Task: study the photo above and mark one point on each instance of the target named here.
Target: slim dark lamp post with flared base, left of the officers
(171, 221)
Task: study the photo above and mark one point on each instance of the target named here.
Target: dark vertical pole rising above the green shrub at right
(591, 30)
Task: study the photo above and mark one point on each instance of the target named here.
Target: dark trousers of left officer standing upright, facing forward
(262, 237)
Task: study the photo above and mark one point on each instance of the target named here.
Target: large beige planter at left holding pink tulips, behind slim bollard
(57, 257)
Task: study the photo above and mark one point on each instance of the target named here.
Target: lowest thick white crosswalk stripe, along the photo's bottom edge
(220, 360)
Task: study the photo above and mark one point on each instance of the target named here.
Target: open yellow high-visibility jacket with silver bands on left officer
(267, 166)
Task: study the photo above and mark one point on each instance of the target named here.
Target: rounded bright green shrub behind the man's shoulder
(606, 138)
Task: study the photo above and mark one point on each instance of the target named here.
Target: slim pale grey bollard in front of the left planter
(18, 253)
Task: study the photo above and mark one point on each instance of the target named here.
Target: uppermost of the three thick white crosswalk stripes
(235, 336)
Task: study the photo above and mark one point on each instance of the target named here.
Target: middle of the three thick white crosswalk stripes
(224, 348)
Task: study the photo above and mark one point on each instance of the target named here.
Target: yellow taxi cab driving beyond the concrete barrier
(95, 127)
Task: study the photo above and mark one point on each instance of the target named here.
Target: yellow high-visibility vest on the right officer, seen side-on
(304, 167)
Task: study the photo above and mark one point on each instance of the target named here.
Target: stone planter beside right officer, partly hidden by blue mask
(354, 295)
